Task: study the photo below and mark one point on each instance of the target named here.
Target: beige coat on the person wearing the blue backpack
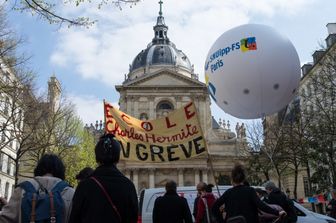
(11, 213)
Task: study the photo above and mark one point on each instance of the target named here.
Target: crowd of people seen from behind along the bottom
(106, 195)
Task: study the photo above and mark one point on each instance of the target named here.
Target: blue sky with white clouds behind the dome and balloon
(90, 62)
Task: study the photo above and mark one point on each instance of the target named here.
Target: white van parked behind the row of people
(148, 196)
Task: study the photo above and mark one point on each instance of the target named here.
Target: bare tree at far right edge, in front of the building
(319, 108)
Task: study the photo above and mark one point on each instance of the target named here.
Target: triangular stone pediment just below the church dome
(165, 78)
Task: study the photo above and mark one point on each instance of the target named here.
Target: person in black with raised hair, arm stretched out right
(241, 201)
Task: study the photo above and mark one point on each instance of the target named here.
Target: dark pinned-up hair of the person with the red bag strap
(107, 149)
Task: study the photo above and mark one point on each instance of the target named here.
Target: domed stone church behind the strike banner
(161, 79)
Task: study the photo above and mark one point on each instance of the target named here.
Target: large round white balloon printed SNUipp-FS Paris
(252, 71)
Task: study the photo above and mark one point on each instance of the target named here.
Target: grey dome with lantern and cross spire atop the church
(161, 51)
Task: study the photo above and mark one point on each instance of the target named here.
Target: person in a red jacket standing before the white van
(205, 203)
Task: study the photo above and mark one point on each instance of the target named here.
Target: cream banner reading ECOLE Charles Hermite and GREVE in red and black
(175, 137)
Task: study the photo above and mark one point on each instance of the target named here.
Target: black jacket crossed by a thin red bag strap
(91, 206)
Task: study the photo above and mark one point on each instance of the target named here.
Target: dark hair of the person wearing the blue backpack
(50, 164)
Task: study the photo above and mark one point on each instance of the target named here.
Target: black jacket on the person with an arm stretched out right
(241, 200)
